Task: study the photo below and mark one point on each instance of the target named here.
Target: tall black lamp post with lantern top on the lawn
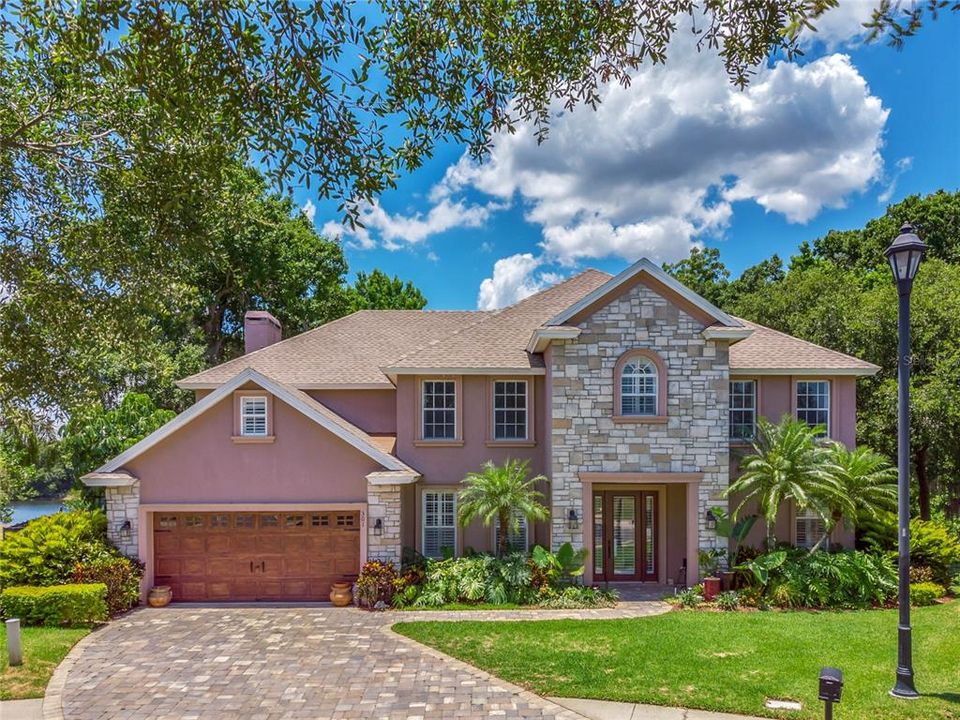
(904, 255)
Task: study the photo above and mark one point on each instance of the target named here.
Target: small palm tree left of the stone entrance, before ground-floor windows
(501, 492)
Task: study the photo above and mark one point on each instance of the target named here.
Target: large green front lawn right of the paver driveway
(719, 661)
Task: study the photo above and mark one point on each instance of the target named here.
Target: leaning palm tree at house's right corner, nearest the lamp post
(867, 484)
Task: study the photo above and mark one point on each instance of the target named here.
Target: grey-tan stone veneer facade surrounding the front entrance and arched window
(585, 437)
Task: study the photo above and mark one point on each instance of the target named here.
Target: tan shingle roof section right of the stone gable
(770, 350)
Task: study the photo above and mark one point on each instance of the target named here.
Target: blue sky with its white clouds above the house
(680, 159)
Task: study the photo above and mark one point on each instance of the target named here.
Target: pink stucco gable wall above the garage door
(201, 464)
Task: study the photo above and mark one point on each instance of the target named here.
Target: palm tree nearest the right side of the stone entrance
(789, 462)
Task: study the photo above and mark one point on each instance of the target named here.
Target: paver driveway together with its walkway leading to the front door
(273, 663)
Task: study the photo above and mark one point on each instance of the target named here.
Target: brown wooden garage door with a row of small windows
(290, 555)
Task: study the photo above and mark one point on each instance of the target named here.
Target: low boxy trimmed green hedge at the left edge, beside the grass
(56, 605)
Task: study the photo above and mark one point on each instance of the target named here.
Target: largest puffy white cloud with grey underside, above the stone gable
(658, 165)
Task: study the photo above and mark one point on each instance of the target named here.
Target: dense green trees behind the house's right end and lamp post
(837, 292)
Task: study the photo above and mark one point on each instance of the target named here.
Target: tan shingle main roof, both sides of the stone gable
(363, 348)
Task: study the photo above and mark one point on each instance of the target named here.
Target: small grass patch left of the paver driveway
(43, 649)
